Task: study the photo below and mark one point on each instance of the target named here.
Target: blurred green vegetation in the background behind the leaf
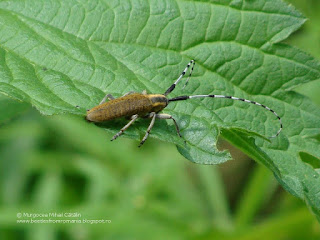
(62, 164)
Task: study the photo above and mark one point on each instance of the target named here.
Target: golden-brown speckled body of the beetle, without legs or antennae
(127, 106)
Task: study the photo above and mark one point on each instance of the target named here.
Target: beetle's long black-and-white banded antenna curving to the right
(180, 98)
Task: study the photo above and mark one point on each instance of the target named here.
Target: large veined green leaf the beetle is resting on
(60, 54)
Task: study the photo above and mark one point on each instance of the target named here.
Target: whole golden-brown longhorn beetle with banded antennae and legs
(134, 105)
